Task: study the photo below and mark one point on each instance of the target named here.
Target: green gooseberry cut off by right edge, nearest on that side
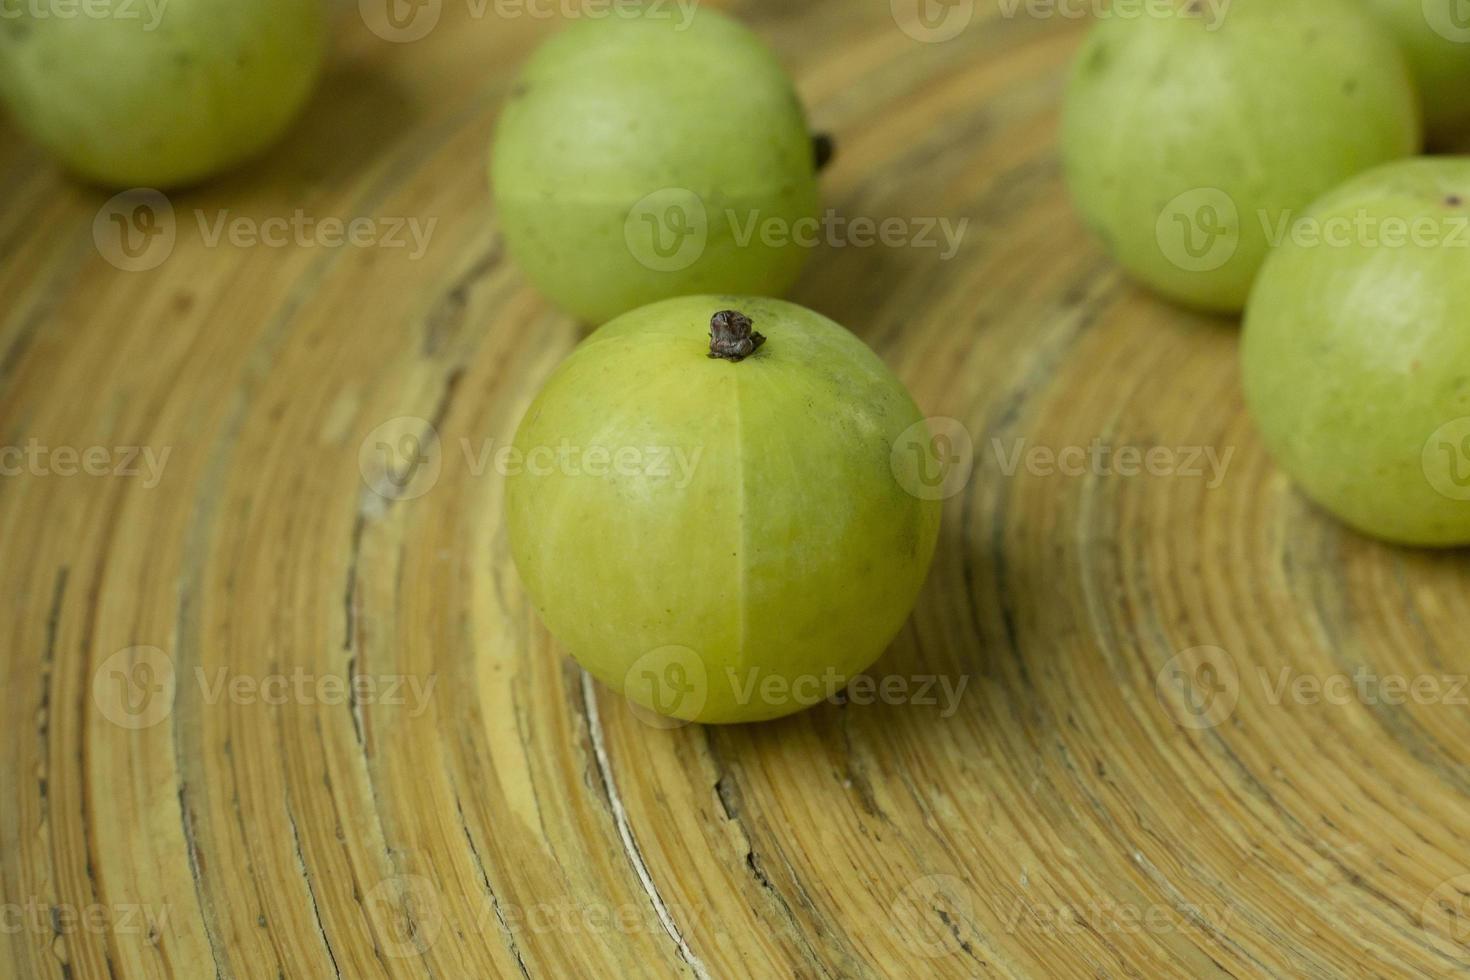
(1356, 356)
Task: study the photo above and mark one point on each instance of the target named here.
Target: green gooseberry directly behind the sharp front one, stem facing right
(612, 111)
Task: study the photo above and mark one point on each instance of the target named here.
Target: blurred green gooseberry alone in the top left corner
(209, 87)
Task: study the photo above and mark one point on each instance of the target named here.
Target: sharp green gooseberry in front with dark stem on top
(792, 552)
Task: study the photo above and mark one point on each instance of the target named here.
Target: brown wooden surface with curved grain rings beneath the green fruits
(1103, 799)
